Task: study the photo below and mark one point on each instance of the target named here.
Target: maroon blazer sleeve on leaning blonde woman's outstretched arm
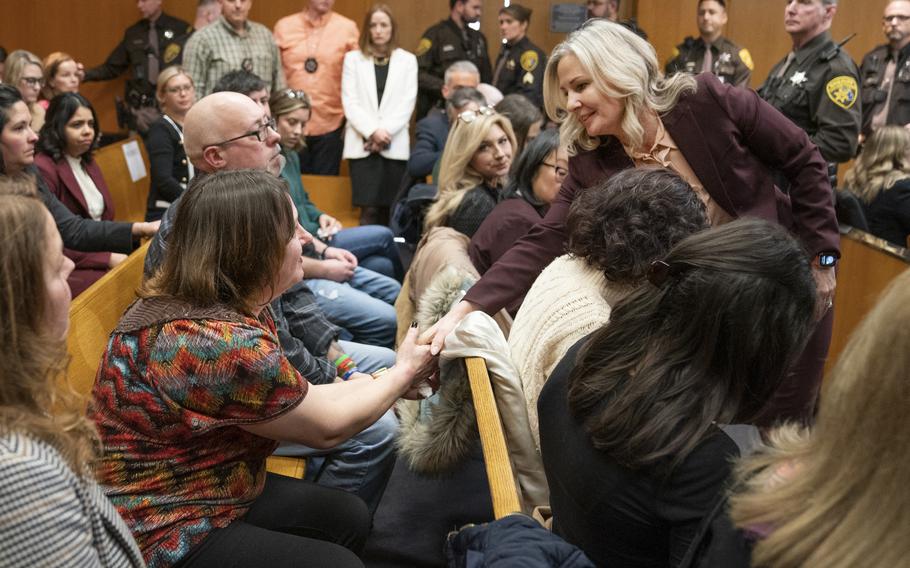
(514, 273)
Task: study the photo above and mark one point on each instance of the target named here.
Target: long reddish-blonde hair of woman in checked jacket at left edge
(33, 399)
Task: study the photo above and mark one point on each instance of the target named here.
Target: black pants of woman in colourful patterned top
(293, 523)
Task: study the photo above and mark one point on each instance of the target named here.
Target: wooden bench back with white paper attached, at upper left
(130, 198)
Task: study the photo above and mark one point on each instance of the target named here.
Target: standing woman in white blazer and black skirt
(378, 92)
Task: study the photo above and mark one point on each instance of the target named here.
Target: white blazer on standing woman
(365, 114)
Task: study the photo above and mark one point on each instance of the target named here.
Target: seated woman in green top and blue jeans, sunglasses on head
(373, 245)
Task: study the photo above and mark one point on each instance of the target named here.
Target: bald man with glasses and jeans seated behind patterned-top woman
(363, 463)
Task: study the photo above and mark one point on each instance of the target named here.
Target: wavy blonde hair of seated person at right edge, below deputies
(883, 161)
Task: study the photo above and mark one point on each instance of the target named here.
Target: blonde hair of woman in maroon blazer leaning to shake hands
(622, 66)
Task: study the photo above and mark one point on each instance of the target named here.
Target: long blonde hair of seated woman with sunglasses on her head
(456, 176)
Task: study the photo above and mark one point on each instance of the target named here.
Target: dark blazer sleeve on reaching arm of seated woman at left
(85, 234)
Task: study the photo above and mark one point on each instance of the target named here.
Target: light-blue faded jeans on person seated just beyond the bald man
(363, 306)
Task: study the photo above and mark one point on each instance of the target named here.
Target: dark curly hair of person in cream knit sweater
(625, 222)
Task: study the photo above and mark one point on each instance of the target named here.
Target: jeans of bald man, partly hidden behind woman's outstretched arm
(362, 465)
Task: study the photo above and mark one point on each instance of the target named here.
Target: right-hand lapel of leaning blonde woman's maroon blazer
(686, 132)
